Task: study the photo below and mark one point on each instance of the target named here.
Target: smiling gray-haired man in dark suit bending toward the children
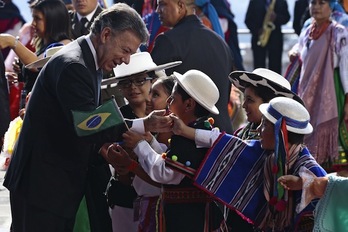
(47, 175)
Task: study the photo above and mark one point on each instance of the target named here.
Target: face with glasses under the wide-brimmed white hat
(136, 89)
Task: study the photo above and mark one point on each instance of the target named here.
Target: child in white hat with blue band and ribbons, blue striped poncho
(243, 174)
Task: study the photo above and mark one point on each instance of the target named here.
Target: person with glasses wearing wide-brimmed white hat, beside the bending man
(134, 80)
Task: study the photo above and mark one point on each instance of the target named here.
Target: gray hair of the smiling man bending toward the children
(120, 17)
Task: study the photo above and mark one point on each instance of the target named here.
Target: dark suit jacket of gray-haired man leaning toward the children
(50, 162)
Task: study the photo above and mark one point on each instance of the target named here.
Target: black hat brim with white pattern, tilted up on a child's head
(241, 79)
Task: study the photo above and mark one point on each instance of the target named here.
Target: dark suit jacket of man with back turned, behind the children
(198, 48)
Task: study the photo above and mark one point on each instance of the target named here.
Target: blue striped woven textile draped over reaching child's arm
(232, 172)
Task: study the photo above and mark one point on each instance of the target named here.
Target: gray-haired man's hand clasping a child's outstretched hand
(157, 122)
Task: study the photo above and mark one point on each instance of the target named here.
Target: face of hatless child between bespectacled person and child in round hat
(158, 96)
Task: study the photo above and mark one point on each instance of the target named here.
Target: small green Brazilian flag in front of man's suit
(103, 117)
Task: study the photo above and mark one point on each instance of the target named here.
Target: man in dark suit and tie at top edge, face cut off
(83, 16)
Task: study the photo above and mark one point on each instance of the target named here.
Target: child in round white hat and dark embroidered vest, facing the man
(185, 207)
